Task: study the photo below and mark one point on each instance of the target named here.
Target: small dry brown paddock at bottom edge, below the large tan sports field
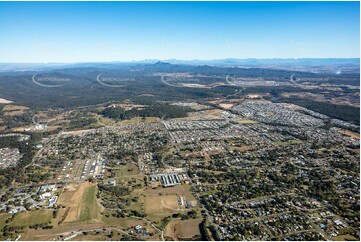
(182, 229)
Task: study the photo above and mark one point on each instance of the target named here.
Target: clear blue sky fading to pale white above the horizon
(42, 32)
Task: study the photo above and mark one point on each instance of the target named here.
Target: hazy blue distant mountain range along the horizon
(316, 65)
